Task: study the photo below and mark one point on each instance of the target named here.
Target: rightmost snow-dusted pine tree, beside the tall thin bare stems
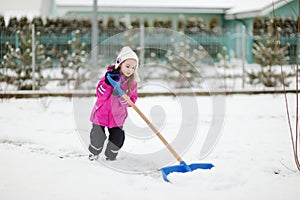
(268, 54)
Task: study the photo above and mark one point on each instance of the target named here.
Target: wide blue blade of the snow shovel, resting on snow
(183, 167)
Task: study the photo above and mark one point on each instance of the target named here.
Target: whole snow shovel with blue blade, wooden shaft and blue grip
(182, 167)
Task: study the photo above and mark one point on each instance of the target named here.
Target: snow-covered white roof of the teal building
(231, 8)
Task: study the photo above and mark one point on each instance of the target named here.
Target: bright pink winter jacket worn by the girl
(109, 110)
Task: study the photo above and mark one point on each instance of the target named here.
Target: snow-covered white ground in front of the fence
(43, 151)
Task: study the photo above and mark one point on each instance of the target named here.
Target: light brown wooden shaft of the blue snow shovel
(128, 100)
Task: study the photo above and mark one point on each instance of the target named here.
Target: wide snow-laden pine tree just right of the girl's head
(181, 65)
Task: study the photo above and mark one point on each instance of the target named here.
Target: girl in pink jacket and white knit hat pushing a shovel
(110, 110)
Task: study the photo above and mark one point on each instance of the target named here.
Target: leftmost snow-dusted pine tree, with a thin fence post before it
(17, 62)
